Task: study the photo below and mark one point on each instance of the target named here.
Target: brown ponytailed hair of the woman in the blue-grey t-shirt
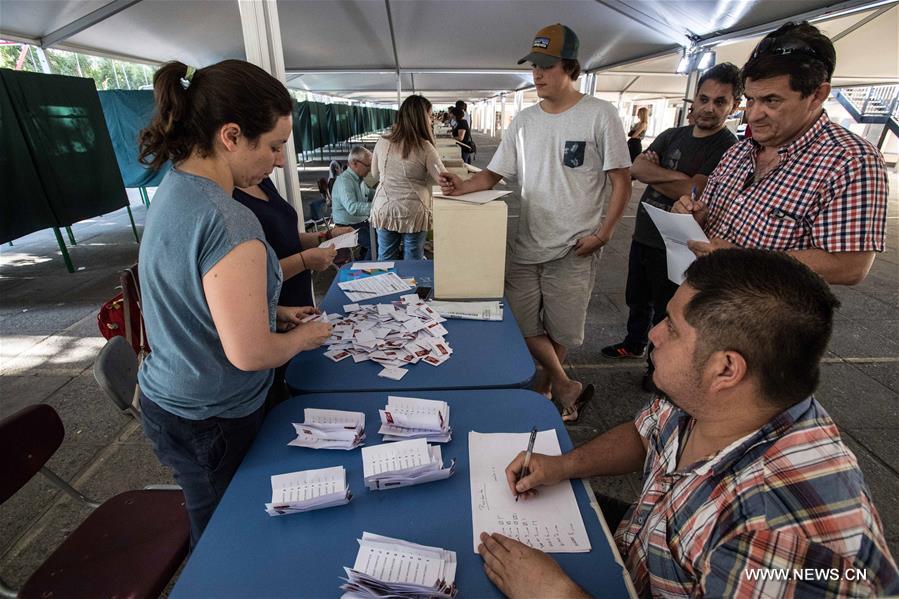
(189, 113)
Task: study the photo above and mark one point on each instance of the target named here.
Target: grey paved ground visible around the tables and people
(49, 339)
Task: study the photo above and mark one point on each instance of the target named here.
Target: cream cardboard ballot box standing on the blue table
(469, 249)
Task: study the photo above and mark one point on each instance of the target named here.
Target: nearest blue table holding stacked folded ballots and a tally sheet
(246, 553)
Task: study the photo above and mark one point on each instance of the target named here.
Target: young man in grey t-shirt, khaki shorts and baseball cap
(559, 154)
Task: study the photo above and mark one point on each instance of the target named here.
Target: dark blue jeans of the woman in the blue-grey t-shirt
(204, 455)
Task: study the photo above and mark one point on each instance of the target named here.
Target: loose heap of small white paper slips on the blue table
(395, 336)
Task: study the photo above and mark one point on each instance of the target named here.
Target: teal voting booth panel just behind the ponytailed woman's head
(126, 113)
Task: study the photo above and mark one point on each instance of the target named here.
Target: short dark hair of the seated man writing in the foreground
(768, 307)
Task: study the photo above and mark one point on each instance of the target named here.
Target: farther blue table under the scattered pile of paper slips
(486, 354)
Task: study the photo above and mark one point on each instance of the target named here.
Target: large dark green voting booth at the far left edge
(63, 133)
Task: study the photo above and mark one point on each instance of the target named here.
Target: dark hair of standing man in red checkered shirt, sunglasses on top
(799, 50)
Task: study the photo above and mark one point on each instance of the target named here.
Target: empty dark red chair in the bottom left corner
(130, 546)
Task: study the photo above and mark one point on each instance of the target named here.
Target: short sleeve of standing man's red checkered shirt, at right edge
(854, 206)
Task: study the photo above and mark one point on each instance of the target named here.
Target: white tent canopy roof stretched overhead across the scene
(455, 48)
